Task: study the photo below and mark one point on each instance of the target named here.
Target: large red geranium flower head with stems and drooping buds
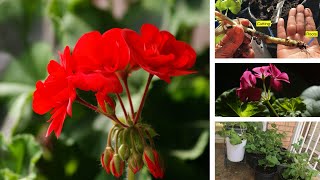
(102, 63)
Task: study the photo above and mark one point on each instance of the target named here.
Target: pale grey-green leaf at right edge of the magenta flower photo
(311, 97)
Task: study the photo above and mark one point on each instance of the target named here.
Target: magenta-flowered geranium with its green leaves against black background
(250, 99)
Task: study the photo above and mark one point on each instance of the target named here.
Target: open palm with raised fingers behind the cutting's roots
(300, 20)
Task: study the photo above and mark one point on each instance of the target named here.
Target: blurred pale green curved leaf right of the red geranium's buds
(196, 151)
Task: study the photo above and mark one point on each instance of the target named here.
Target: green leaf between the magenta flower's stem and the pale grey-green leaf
(293, 107)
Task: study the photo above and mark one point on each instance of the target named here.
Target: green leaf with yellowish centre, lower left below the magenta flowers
(228, 104)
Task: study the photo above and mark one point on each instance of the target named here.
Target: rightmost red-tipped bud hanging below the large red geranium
(152, 160)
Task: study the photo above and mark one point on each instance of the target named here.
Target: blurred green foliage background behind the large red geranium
(32, 32)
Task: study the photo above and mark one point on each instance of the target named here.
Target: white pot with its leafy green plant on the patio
(235, 140)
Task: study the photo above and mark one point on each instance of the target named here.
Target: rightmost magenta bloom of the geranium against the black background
(276, 77)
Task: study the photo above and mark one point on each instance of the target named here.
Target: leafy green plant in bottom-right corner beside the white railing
(299, 168)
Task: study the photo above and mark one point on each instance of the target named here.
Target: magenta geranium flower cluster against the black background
(248, 90)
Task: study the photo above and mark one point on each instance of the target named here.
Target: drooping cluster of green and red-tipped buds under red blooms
(129, 145)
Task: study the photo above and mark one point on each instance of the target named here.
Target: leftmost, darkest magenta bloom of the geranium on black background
(247, 90)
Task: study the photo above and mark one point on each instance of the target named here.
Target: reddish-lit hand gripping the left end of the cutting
(235, 43)
